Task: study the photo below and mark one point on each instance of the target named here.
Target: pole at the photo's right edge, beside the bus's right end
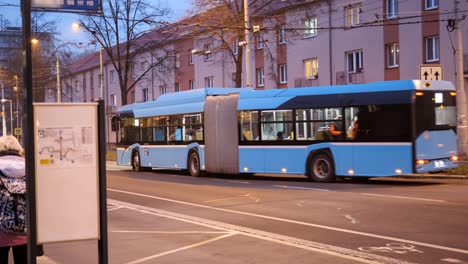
(461, 95)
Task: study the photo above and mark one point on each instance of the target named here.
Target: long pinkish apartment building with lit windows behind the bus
(299, 44)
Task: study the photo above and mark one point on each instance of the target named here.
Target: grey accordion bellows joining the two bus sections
(221, 134)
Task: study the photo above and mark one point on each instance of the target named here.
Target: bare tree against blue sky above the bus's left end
(123, 31)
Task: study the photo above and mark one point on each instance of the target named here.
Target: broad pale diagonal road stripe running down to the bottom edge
(267, 236)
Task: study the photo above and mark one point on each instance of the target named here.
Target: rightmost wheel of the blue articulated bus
(321, 169)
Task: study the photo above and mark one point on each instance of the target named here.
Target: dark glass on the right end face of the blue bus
(435, 110)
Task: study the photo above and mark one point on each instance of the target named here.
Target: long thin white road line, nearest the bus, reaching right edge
(463, 251)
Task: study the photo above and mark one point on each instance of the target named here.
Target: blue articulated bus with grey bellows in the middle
(362, 130)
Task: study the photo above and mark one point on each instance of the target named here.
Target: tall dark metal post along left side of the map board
(28, 125)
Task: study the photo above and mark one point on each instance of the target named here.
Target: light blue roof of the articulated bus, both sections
(193, 101)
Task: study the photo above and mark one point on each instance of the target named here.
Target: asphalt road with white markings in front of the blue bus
(164, 217)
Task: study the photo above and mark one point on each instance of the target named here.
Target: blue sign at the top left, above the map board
(67, 5)
